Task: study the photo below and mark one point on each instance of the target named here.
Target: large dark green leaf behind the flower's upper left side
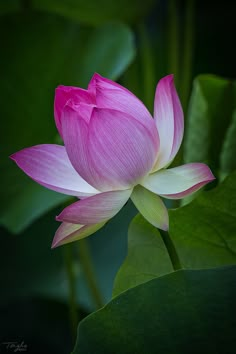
(45, 51)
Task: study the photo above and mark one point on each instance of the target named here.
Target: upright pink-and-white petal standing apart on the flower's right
(168, 115)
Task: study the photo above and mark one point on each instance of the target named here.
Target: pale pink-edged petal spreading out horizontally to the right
(178, 182)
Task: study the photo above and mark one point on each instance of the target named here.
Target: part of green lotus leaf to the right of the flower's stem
(204, 231)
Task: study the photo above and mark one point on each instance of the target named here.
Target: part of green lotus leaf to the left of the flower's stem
(147, 257)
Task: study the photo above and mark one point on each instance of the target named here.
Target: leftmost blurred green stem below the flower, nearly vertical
(73, 308)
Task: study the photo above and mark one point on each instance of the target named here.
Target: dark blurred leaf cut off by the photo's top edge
(95, 12)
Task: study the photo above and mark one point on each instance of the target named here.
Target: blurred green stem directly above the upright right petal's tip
(173, 40)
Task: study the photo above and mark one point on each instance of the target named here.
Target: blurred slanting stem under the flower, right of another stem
(86, 263)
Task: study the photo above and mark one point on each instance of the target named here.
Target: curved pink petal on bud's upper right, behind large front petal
(114, 96)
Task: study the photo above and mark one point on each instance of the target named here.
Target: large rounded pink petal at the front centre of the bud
(121, 149)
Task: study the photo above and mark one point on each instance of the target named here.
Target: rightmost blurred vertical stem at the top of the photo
(188, 50)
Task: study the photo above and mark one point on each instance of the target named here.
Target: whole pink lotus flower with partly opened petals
(113, 150)
